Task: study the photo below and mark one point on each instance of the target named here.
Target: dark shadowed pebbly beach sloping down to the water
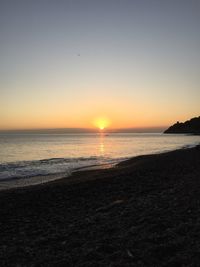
(143, 212)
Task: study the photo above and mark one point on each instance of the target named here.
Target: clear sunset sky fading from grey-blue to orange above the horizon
(72, 63)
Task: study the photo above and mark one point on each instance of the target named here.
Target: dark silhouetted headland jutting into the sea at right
(191, 126)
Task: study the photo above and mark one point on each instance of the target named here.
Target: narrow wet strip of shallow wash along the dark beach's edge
(23, 182)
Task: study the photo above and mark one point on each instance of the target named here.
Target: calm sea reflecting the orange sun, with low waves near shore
(26, 155)
